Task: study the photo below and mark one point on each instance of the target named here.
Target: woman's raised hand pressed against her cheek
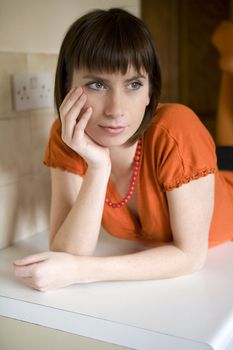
(74, 118)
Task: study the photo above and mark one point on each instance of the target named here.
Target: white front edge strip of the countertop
(91, 327)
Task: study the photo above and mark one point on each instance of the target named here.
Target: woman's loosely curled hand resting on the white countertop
(50, 270)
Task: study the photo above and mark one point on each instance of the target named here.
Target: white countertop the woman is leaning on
(193, 312)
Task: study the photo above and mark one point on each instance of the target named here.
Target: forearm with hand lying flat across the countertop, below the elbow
(48, 270)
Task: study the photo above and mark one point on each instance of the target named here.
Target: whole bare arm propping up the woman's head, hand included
(77, 204)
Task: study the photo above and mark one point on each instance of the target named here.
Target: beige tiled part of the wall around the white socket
(24, 180)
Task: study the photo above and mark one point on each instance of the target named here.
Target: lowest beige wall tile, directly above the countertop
(24, 208)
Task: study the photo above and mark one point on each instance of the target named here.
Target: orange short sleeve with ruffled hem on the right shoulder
(184, 148)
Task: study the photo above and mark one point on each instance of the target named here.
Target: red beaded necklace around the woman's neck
(129, 194)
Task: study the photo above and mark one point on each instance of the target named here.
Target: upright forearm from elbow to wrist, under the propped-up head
(80, 230)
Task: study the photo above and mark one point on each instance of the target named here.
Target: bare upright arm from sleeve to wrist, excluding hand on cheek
(76, 210)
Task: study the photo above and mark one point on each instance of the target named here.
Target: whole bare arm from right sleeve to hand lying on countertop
(191, 209)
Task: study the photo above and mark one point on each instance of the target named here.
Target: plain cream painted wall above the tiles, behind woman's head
(39, 26)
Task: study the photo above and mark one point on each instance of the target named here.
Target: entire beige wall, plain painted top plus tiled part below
(30, 35)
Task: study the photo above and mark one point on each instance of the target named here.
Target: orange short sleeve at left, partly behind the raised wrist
(59, 155)
